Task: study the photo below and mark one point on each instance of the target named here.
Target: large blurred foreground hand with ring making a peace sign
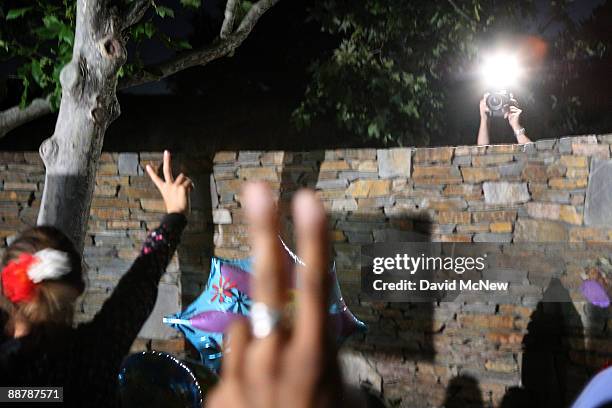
(271, 365)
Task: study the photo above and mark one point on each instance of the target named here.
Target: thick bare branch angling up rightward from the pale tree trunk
(204, 55)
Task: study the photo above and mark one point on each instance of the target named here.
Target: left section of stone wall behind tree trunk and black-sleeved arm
(125, 205)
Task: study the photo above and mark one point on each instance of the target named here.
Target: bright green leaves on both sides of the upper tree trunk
(39, 36)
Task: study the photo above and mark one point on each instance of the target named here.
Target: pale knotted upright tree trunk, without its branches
(89, 104)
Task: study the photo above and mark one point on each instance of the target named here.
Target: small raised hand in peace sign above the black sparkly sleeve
(175, 192)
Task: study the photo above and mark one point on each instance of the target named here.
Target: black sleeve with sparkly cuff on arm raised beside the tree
(126, 310)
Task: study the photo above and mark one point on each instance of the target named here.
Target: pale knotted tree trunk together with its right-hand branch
(89, 102)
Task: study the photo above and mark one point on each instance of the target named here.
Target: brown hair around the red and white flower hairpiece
(54, 298)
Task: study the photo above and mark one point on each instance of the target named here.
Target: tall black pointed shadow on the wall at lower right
(551, 374)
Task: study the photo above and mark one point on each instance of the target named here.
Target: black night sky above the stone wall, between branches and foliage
(250, 96)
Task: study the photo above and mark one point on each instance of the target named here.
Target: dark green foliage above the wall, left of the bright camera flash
(389, 75)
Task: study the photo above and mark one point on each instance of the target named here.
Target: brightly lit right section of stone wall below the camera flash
(417, 354)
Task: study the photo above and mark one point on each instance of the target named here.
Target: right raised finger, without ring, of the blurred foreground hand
(313, 276)
